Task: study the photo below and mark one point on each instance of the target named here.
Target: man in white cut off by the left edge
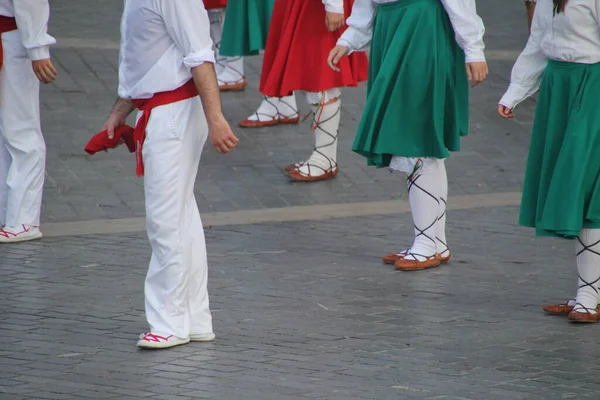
(24, 63)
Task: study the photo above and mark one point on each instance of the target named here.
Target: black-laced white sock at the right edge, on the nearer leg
(588, 268)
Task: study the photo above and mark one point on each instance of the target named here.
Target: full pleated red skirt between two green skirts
(297, 48)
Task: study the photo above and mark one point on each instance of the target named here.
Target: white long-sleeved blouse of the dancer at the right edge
(572, 36)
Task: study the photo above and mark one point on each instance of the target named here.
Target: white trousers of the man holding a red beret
(176, 283)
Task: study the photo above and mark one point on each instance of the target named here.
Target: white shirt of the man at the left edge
(32, 21)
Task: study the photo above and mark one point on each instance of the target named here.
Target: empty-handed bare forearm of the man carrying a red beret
(220, 133)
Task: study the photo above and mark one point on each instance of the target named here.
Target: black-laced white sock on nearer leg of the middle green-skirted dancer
(423, 196)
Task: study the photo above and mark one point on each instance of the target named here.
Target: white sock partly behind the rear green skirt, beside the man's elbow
(228, 69)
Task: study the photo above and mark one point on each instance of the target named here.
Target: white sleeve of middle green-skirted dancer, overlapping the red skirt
(360, 26)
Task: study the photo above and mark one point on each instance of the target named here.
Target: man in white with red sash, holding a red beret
(161, 73)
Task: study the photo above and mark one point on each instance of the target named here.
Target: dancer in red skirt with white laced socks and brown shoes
(295, 59)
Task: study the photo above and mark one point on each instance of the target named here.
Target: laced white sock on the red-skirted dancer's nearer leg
(326, 124)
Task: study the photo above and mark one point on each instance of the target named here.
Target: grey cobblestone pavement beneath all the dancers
(302, 309)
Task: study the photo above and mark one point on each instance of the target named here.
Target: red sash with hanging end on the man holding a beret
(187, 91)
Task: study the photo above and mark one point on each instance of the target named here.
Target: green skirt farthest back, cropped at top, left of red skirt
(246, 26)
